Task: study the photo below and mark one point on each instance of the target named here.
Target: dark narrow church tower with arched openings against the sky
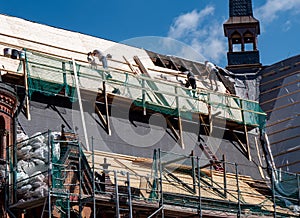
(242, 30)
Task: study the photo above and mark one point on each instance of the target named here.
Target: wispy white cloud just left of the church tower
(201, 31)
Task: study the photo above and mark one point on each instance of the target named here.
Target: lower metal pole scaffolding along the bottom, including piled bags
(72, 182)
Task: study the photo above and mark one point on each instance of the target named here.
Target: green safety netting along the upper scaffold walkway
(52, 76)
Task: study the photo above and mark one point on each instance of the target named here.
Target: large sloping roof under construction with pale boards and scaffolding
(136, 143)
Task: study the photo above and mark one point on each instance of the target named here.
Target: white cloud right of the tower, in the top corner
(271, 9)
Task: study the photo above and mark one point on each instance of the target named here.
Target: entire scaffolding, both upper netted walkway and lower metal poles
(127, 187)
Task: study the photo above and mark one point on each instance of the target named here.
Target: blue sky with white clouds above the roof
(195, 23)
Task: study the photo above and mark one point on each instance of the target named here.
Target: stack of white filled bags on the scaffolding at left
(33, 156)
